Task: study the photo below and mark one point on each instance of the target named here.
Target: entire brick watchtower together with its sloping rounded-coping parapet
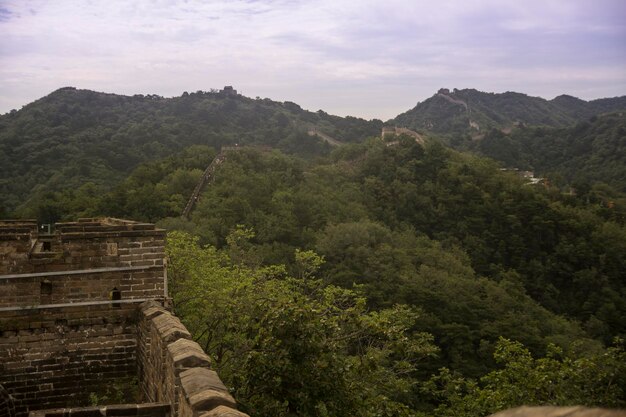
(83, 308)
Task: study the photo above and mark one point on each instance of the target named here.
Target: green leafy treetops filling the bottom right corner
(556, 379)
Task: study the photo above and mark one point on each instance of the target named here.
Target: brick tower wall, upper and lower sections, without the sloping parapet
(68, 307)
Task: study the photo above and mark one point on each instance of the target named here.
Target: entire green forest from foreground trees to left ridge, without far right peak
(377, 278)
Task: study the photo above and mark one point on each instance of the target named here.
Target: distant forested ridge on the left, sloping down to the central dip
(75, 136)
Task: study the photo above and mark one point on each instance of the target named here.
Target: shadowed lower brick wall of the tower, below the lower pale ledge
(53, 358)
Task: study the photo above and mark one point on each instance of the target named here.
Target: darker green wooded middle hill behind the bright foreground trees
(428, 227)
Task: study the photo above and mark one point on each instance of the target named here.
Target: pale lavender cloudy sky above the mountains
(365, 58)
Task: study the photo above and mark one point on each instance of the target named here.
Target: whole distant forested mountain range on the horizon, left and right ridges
(73, 137)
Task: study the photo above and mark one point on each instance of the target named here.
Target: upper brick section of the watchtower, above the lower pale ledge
(89, 261)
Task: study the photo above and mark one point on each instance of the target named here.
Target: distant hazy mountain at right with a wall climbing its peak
(472, 112)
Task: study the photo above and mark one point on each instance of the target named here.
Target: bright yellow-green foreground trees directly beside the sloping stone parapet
(293, 346)
